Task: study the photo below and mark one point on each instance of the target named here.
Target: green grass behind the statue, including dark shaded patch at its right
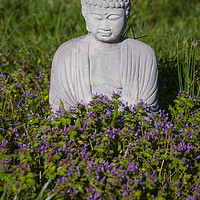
(38, 26)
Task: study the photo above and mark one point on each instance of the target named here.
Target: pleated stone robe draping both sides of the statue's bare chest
(71, 74)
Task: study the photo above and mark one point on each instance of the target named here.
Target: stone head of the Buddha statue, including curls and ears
(106, 19)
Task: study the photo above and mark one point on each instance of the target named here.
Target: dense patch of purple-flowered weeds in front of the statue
(103, 150)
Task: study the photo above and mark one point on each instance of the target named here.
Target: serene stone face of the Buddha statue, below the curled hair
(106, 24)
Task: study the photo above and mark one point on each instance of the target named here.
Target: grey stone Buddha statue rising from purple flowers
(104, 61)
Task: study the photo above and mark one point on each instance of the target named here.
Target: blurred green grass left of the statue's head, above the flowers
(43, 25)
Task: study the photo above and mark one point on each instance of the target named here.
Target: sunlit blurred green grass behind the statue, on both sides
(45, 24)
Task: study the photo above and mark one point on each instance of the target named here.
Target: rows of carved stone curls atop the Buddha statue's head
(108, 3)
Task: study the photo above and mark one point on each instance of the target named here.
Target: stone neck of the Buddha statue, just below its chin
(103, 45)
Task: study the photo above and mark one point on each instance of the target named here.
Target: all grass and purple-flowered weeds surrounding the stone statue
(107, 149)
